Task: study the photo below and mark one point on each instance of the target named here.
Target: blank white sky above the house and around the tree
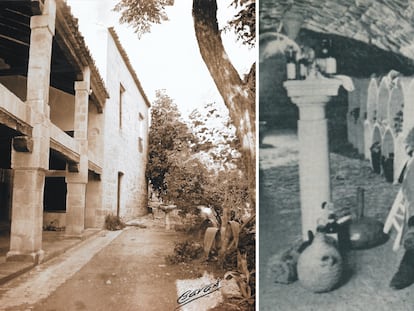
(166, 58)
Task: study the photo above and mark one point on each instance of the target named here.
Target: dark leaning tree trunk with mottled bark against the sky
(237, 95)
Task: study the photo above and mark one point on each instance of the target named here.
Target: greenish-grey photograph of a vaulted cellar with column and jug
(336, 137)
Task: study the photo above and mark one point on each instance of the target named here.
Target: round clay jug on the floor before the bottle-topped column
(320, 265)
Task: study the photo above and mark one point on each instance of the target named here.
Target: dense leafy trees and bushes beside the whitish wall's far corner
(175, 170)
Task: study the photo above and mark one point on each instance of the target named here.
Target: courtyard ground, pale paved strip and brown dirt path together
(117, 270)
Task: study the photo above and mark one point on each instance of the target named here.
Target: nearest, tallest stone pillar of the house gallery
(29, 164)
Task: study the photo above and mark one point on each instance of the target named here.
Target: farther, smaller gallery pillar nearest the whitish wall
(77, 181)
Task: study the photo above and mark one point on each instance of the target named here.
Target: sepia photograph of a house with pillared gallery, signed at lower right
(128, 155)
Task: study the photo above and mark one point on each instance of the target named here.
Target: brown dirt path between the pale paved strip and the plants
(122, 276)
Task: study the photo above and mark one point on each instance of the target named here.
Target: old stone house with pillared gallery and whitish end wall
(72, 147)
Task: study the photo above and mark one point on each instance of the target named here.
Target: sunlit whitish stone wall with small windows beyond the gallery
(124, 161)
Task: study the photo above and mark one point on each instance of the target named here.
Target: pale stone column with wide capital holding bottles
(311, 97)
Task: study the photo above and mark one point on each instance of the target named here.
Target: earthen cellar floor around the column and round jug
(366, 287)
